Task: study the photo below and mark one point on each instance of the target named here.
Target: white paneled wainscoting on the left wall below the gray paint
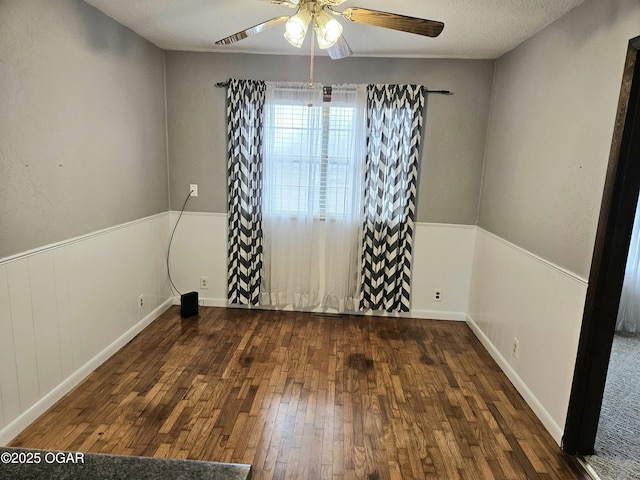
(66, 308)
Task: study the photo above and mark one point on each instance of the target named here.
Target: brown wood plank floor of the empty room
(300, 397)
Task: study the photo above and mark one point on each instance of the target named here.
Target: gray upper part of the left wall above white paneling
(82, 123)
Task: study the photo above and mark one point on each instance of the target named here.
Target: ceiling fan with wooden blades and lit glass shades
(327, 30)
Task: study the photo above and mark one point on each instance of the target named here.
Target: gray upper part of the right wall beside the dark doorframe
(550, 132)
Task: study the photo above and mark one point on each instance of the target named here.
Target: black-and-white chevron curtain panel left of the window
(245, 103)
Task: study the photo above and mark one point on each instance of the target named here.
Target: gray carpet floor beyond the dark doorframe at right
(618, 440)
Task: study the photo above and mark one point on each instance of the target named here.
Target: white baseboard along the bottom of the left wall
(30, 415)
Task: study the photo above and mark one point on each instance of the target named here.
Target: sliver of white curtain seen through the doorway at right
(629, 309)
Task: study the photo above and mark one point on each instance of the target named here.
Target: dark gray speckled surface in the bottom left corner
(32, 464)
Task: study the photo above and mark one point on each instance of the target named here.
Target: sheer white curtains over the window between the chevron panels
(312, 210)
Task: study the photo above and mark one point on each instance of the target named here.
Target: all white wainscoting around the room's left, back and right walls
(66, 308)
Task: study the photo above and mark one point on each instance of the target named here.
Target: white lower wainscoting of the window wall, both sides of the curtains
(443, 256)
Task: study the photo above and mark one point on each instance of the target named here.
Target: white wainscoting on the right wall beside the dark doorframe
(517, 294)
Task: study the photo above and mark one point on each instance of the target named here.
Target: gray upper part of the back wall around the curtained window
(455, 129)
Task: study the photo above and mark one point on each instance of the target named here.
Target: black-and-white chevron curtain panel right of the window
(394, 128)
